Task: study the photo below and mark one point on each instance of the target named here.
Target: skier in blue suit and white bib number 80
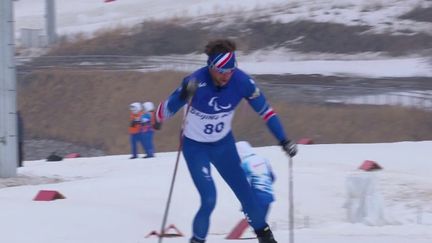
(212, 94)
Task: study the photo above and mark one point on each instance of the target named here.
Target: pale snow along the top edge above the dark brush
(90, 15)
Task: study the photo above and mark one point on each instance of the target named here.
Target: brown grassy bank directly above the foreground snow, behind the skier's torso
(91, 108)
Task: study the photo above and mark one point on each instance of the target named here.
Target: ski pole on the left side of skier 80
(179, 149)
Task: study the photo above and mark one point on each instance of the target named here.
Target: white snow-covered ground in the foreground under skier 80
(114, 199)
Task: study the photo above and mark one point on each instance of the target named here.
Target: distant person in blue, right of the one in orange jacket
(147, 128)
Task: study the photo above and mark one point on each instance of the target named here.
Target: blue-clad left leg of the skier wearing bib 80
(196, 155)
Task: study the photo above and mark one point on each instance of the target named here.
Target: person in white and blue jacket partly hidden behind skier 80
(259, 174)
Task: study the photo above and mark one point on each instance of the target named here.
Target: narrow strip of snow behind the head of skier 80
(284, 62)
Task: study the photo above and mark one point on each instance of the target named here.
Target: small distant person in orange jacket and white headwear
(135, 128)
